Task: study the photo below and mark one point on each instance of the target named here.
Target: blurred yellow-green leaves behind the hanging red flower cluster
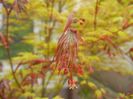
(52, 14)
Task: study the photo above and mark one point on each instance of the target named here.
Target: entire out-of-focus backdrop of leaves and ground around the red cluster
(106, 57)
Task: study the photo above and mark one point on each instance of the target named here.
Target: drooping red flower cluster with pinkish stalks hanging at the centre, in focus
(66, 52)
